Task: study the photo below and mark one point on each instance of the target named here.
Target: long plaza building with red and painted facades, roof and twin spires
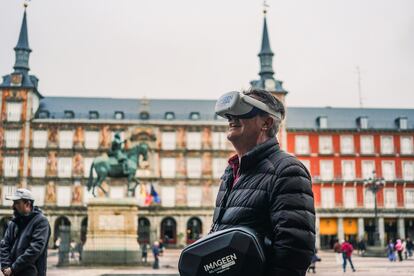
(48, 144)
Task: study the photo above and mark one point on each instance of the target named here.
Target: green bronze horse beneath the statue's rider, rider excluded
(105, 166)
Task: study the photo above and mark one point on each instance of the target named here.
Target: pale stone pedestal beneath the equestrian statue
(112, 232)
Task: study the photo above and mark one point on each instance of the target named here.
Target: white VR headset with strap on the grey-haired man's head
(241, 106)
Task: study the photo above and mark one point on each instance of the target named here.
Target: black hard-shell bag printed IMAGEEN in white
(235, 251)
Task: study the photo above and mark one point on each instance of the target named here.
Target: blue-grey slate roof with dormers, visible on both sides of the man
(297, 117)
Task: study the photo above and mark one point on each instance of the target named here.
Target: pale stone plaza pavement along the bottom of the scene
(168, 262)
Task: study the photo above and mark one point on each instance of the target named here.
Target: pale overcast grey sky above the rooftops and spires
(201, 49)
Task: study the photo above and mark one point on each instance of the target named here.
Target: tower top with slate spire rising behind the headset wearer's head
(267, 80)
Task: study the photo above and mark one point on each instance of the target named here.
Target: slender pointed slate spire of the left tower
(22, 48)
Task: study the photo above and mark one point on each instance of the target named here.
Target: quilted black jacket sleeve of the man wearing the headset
(293, 220)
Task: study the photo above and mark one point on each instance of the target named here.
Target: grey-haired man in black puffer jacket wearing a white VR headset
(263, 187)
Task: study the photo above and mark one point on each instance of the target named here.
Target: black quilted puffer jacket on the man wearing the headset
(273, 195)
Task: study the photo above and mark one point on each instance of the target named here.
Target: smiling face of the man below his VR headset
(244, 131)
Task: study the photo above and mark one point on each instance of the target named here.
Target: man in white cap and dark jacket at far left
(23, 250)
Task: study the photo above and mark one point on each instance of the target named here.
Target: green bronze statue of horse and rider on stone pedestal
(117, 164)
